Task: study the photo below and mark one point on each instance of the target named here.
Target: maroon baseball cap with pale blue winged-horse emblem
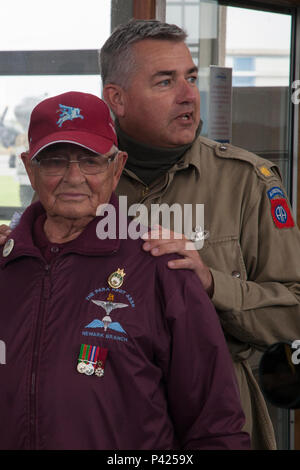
(73, 117)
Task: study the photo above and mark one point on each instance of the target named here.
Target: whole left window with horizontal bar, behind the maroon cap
(53, 51)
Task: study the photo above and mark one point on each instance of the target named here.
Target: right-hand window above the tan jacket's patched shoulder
(260, 61)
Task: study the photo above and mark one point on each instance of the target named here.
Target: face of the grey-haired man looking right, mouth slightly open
(162, 102)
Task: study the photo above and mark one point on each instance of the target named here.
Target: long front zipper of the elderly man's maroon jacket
(45, 293)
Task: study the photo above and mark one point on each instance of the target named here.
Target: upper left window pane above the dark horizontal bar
(55, 25)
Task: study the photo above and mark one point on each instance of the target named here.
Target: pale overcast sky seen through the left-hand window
(52, 24)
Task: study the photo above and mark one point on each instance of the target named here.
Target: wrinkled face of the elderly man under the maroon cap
(74, 194)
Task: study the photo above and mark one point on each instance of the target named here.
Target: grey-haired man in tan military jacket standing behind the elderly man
(250, 263)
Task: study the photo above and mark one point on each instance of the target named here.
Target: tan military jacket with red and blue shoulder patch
(254, 257)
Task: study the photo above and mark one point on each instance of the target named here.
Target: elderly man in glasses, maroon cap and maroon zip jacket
(106, 347)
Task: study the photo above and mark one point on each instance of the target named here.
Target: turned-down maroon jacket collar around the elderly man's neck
(88, 243)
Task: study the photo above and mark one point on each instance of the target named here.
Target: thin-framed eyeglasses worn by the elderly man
(89, 165)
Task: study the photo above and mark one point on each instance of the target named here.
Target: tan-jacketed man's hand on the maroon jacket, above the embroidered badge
(161, 241)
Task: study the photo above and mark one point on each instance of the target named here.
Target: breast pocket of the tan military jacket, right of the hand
(224, 254)
